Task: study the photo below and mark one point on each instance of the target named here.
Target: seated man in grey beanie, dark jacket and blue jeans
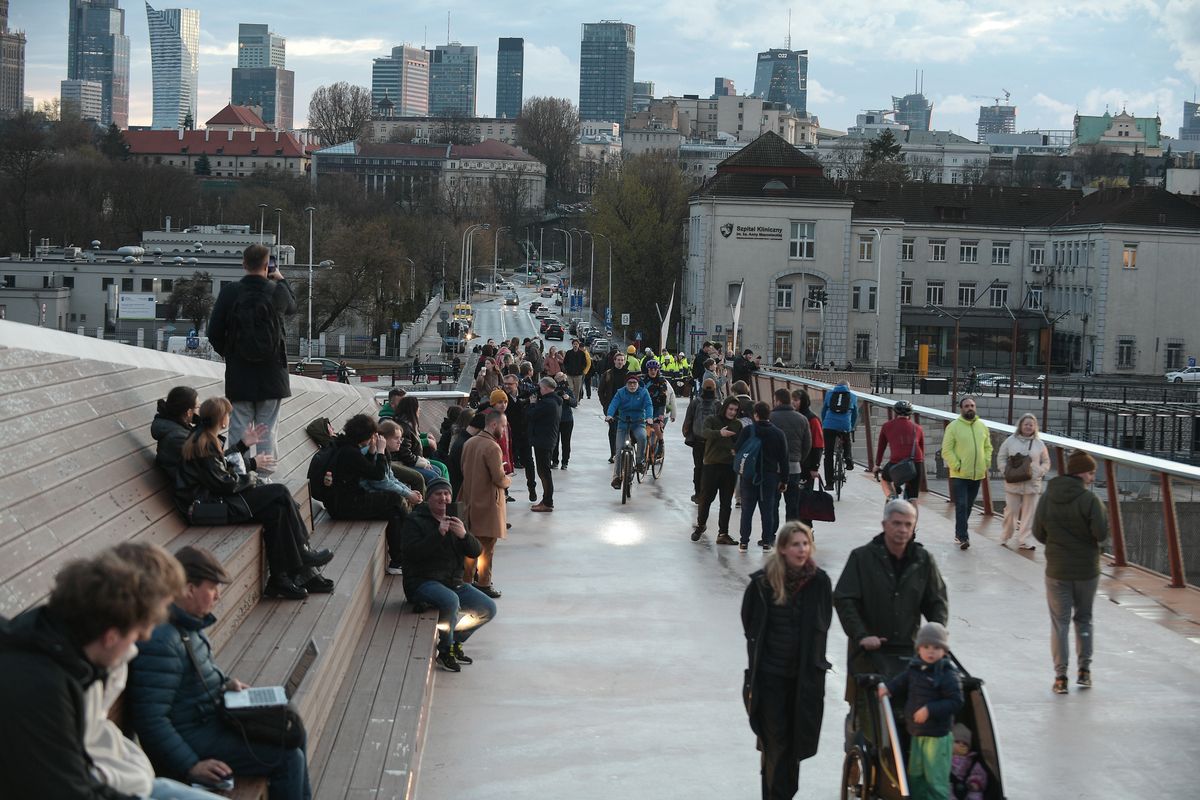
(434, 546)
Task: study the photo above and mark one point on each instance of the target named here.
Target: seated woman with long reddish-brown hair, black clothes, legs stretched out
(206, 474)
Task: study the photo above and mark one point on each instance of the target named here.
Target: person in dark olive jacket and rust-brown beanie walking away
(1072, 524)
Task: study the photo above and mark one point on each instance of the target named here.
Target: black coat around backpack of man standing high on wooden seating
(244, 381)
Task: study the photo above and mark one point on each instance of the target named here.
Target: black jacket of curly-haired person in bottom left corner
(43, 683)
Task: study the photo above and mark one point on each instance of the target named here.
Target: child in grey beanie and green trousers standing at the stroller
(933, 694)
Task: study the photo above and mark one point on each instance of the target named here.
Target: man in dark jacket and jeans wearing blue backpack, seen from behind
(760, 458)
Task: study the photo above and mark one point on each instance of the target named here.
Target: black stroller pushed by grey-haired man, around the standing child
(874, 767)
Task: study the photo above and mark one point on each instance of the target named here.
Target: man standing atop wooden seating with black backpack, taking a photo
(247, 329)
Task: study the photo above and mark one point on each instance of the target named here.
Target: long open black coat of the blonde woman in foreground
(817, 610)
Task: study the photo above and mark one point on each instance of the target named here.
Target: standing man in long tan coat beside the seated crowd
(482, 500)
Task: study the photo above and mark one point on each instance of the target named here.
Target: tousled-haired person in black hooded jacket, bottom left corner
(51, 655)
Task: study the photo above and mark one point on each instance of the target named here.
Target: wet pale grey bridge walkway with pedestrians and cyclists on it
(615, 665)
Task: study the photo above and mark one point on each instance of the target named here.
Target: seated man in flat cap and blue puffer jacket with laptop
(175, 684)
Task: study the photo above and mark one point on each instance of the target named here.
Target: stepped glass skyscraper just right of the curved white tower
(261, 79)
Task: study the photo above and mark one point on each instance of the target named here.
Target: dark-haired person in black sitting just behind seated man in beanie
(361, 458)
